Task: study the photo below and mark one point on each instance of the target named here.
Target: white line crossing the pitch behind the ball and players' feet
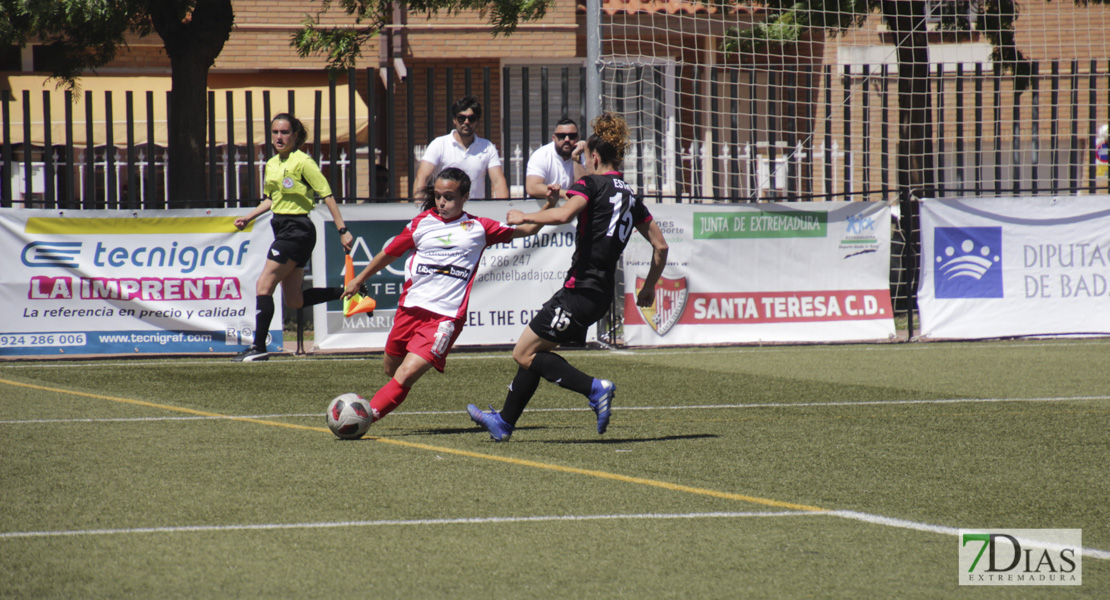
(618, 408)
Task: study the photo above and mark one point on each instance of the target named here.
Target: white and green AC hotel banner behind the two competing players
(513, 281)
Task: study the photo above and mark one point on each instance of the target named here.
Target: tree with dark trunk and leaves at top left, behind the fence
(85, 35)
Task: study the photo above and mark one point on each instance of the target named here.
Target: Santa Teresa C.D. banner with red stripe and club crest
(791, 272)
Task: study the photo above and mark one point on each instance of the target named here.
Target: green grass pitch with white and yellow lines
(784, 472)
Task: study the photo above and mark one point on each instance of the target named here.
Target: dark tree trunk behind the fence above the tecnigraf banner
(193, 40)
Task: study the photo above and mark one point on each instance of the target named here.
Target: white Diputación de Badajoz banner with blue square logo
(1015, 267)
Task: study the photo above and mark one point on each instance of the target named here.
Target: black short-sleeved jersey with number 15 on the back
(604, 229)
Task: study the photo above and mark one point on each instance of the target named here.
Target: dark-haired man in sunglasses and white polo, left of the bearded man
(466, 150)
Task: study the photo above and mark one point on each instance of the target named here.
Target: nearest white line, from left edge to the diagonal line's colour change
(472, 521)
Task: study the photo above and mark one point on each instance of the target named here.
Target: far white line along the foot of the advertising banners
(376, 355)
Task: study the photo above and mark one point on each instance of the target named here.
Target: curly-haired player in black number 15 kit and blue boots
(608, 211)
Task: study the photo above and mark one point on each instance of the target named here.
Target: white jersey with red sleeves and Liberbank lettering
(440, 273)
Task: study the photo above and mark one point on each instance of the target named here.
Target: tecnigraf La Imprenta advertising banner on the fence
(112, 282)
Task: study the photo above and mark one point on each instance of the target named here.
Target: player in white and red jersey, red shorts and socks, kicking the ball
(448, 245)
